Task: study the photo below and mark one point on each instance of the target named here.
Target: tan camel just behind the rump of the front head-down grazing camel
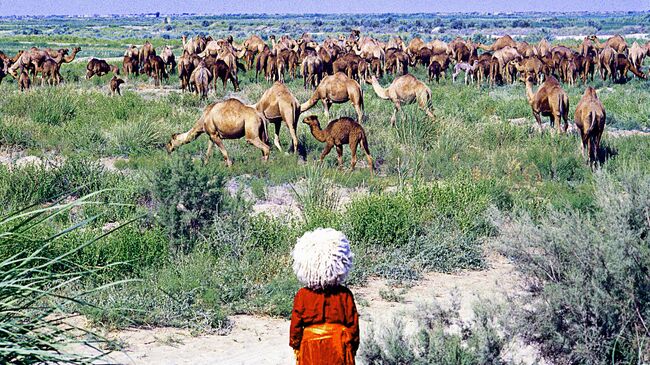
(278, 104)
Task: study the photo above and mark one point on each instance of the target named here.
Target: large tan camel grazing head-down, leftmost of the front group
(229, 119)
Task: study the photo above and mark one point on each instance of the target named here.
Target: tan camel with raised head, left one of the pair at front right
(549, 101)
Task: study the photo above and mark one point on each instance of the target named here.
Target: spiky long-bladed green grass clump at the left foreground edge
(33, 286)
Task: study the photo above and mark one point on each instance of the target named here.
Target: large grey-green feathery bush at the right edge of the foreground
(588, 275)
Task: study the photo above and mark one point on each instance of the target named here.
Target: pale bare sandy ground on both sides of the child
(264, 340)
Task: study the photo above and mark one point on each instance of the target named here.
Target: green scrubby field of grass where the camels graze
(436, 203)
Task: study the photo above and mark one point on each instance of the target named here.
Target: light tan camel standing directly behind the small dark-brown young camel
(337, 88)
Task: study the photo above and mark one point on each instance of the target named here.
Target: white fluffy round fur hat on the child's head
(322, 258)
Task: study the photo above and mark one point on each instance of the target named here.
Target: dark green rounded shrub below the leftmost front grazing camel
(188, 196)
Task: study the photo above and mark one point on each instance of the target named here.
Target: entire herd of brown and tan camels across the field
(336, 69)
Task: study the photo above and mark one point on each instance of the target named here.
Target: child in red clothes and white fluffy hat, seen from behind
(324, 322)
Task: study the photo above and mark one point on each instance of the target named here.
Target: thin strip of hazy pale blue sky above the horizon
(79, 7)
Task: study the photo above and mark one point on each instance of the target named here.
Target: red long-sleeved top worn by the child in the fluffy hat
(330, 306)
